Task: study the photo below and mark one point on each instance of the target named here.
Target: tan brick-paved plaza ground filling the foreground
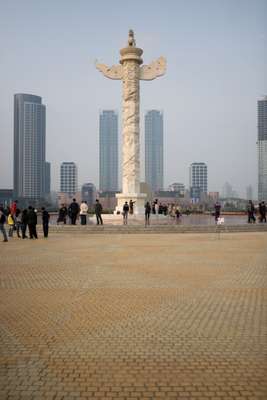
(174, 316)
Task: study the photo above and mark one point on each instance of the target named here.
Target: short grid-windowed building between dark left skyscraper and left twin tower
(68, 178)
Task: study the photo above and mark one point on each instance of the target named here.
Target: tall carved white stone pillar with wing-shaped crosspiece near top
(130, 72)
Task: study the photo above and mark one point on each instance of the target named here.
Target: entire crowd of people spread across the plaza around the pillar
(24, 222)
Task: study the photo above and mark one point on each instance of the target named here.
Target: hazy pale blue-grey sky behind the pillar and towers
(216, 54)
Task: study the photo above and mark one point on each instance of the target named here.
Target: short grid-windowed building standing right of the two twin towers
(198, 179)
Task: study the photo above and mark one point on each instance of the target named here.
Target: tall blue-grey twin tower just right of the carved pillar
(154, 149)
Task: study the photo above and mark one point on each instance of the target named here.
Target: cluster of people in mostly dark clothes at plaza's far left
(23, 222)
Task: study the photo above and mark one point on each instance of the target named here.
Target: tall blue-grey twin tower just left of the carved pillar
(108, 151)
